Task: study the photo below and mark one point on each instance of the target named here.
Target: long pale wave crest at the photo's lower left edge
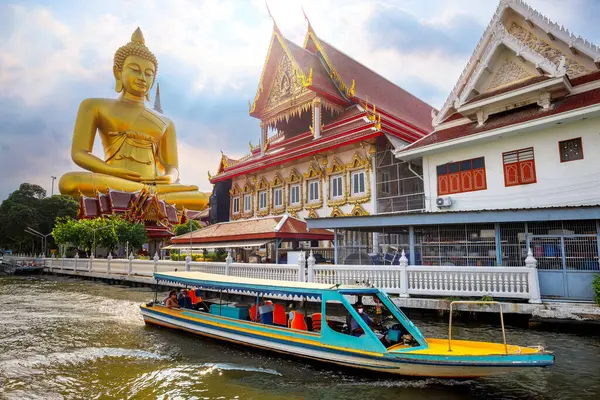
(36, 365)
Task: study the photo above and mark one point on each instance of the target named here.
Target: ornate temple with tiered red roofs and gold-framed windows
(324, 120)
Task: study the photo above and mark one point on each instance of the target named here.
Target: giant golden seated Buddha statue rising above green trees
(140, 145)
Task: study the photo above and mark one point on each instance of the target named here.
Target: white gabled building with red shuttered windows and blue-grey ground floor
(508, 165)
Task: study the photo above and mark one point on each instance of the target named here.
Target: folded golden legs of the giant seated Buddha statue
(89, 184)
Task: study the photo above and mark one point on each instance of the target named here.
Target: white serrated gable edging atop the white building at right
(533, 17)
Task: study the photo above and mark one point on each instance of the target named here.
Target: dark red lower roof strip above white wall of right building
(508, 118)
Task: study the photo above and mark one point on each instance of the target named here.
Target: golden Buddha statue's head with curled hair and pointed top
(135, 67)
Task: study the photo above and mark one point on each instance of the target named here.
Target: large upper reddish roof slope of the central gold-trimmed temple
(380, 91)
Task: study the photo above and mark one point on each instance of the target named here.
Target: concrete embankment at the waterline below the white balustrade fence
(544, 313)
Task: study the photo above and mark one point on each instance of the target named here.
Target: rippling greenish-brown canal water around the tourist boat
(69, 339)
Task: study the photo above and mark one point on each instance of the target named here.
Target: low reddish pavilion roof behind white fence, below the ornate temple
(260, 228)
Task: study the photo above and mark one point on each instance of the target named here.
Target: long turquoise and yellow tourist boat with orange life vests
(395, 346)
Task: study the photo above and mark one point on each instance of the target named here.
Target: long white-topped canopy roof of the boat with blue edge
(259, 286)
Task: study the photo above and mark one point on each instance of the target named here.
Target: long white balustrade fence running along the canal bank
(402, 280)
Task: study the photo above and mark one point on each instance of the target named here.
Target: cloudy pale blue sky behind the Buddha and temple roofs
(54, 54)
